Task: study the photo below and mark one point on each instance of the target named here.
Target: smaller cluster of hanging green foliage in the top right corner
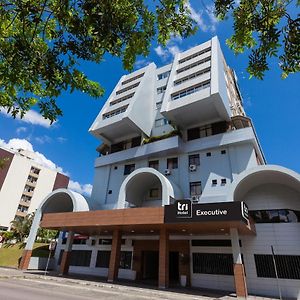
(266, 27)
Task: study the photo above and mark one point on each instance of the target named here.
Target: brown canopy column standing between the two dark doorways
(163, 269)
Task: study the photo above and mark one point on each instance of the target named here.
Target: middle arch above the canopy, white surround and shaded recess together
(147, 187)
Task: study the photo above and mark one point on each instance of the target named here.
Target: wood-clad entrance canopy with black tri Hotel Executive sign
(183, 218)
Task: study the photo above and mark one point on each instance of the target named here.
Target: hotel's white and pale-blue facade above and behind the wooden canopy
(180, 132)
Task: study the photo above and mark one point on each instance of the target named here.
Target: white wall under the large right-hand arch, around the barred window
(284, 237)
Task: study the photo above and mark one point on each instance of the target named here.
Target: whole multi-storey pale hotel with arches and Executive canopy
(182, 191)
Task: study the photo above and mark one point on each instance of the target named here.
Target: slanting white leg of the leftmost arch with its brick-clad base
(26, 255)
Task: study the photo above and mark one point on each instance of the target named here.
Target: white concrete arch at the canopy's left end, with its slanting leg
(60, 200)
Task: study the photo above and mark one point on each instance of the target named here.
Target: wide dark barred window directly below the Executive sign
(213, 263)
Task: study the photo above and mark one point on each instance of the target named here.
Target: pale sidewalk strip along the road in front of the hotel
(120, 287)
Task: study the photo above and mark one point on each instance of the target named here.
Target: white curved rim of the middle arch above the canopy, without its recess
(169, 189)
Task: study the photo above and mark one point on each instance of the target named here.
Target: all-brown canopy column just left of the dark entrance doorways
(114, 261)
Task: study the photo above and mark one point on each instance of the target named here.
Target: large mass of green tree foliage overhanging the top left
(42, 43)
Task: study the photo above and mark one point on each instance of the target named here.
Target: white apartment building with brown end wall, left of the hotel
(24, 184)
